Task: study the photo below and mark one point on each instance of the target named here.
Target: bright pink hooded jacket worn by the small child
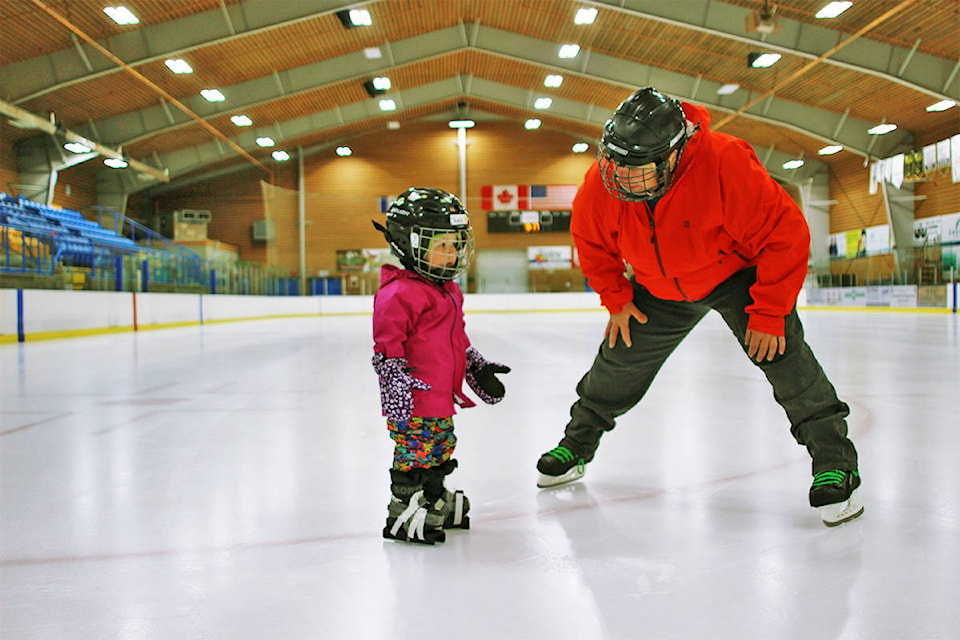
(423, 322)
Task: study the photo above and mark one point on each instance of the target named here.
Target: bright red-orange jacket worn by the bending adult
(722, 214)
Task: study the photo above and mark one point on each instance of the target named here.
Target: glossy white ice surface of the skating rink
(230, 482)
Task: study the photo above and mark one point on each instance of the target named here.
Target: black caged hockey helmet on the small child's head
(415, 222)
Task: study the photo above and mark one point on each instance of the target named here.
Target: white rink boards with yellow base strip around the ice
(36, 314)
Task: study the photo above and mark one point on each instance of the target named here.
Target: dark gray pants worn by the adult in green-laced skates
(620, 377)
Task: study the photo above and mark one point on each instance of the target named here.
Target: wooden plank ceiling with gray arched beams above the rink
(297, 71)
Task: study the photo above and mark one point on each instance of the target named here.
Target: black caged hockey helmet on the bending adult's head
(645, 129)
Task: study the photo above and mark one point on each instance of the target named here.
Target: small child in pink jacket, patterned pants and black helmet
(422, 356)
